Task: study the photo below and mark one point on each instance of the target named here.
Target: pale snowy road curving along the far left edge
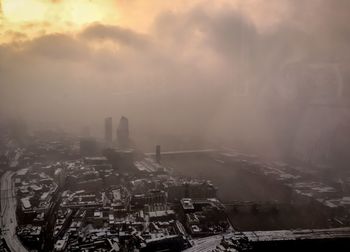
(8, 219)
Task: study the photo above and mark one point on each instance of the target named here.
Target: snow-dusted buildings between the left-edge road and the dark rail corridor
(37, 193)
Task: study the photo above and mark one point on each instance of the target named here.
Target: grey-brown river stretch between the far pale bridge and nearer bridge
(234, 183)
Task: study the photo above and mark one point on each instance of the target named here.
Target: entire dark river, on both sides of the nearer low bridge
(236, 183)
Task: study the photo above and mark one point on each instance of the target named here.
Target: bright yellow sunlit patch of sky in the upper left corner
(37, 17)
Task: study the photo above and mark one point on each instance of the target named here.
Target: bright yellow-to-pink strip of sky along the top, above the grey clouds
(49, 16)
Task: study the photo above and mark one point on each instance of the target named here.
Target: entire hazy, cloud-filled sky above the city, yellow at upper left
(238, 68)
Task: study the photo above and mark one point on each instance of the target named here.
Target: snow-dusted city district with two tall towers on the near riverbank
(119, 200)
